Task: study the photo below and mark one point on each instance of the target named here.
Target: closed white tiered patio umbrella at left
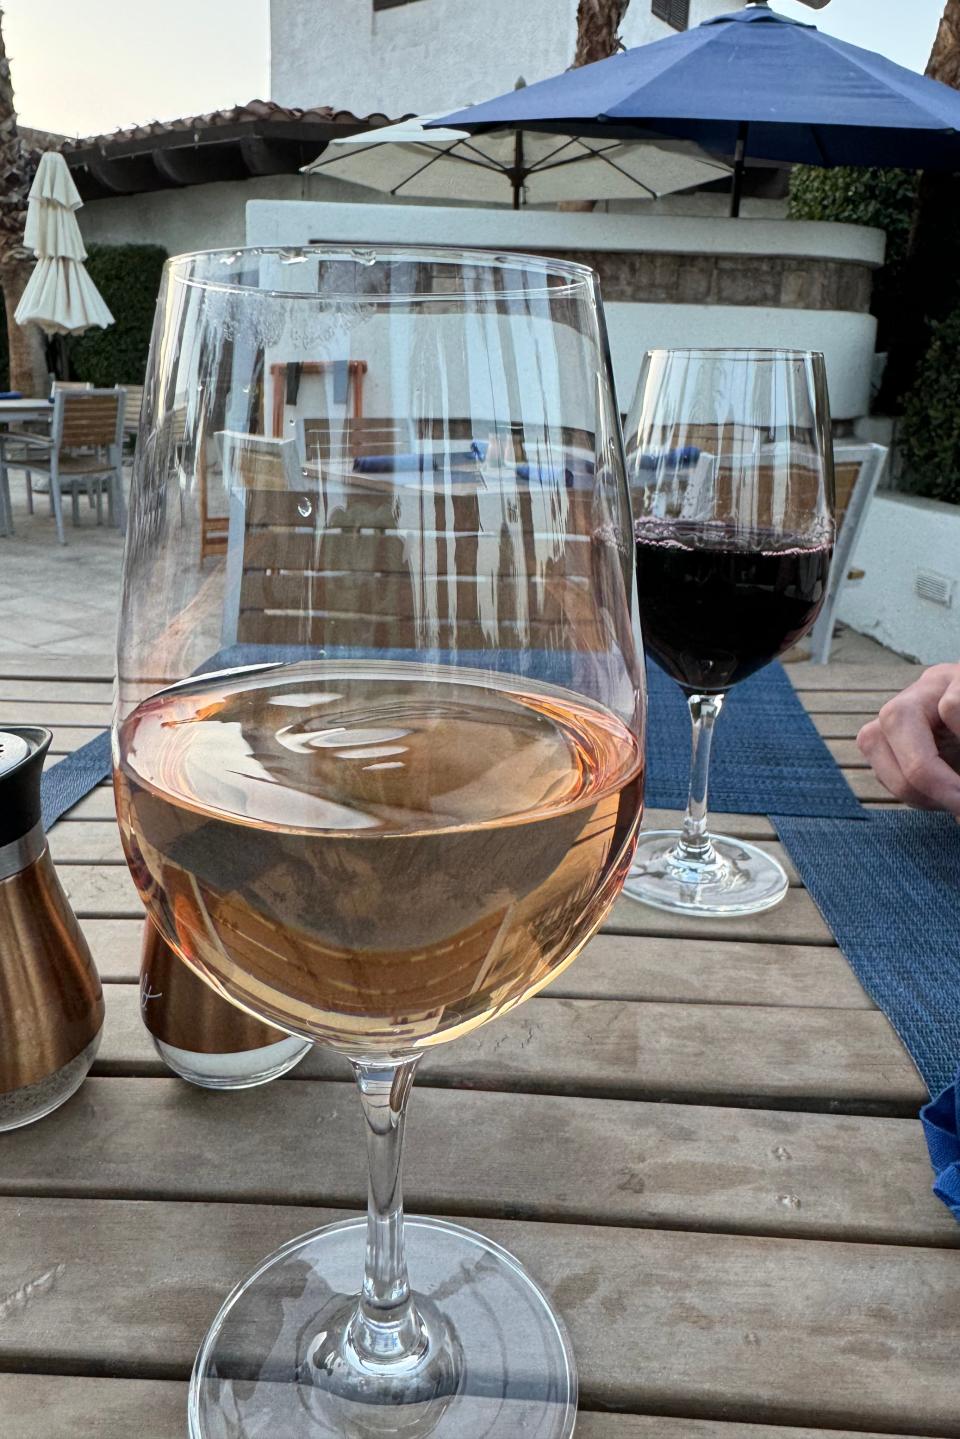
(60, 296)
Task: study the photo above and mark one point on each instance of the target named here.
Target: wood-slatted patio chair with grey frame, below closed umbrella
(83, 454)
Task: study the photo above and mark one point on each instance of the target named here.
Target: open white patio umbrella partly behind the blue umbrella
(529, 168)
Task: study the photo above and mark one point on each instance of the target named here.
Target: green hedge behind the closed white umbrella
(129, 280)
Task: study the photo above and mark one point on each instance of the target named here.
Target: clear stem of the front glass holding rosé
(386, 1327)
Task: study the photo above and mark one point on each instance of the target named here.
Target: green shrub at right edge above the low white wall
(930, 432)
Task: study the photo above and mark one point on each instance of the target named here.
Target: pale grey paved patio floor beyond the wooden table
(64, 599)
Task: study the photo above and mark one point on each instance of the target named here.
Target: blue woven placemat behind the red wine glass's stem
(768, 755)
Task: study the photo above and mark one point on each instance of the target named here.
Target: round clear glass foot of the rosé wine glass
(507, 1362)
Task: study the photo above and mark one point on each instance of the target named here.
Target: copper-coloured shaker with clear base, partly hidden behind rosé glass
(202, 1037)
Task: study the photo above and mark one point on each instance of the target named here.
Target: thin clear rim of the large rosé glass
(571, 273)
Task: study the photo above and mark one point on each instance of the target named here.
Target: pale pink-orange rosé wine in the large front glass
(372, 854)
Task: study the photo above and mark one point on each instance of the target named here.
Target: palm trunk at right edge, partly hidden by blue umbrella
(932, 280)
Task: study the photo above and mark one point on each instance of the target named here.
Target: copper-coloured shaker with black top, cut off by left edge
(51, 998)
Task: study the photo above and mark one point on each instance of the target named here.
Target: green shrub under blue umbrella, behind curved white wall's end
(884, 199)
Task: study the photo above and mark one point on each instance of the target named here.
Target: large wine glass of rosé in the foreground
(379, 755)
